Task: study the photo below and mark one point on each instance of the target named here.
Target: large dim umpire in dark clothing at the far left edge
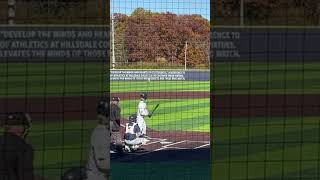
(16, 156)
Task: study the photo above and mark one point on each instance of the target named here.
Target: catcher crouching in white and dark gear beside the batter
(132, 135)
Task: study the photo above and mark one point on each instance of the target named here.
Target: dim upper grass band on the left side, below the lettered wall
(51, 79)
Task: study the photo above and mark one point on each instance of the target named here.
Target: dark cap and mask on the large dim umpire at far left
(19, 119)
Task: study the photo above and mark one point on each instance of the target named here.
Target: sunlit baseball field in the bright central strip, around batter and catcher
(179, 130)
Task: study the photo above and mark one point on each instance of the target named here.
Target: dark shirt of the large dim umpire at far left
(16, 158)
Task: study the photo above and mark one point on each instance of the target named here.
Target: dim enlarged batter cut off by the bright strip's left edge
(98, 167)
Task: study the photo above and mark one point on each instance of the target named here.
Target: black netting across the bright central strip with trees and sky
(161, 49)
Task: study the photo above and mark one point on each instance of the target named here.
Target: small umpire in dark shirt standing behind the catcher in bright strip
(115, 116)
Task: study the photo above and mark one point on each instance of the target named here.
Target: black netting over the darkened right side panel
(266, 104)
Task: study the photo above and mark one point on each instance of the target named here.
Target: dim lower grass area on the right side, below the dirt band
(266, 148)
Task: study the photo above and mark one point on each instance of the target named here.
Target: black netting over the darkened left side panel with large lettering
(53, 66)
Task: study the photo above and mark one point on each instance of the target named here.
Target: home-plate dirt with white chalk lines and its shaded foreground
(169, 146)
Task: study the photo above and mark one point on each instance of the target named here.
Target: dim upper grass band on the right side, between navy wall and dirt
(262, 78)
